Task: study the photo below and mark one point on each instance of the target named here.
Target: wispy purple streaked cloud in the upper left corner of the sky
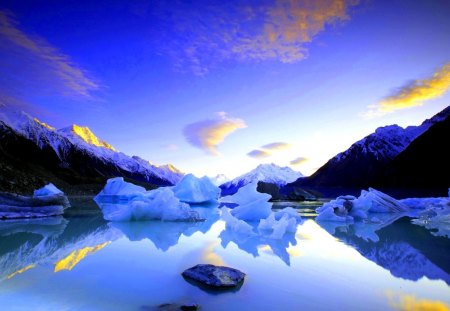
(31, 65)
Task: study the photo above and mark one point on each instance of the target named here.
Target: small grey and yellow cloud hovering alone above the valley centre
(208, 134)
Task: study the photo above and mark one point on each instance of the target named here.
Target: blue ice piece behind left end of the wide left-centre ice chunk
(116, 189)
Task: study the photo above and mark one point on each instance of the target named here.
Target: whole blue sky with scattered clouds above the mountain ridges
(223, 86)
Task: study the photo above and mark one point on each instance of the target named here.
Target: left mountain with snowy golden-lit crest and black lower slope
(33, 153)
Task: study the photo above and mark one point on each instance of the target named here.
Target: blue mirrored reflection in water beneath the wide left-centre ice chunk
(164, 235)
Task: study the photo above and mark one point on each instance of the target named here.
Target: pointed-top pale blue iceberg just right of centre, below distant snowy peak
(252, 205)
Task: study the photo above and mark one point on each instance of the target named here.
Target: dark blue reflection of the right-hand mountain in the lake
(407, 251)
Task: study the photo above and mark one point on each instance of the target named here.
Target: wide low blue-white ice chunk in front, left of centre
(160, 204)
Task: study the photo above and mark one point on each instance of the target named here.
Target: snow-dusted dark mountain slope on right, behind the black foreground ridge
(363, 163)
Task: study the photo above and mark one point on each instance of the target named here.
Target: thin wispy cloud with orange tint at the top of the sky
(274, 30)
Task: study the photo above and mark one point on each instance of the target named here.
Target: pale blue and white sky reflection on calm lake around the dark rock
(323, 272)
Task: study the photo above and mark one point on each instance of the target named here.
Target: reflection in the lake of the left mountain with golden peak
(27, 243)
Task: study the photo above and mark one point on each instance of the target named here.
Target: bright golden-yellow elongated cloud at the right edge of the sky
(414, 93)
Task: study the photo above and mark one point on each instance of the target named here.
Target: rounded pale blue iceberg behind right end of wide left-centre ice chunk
(195, 190)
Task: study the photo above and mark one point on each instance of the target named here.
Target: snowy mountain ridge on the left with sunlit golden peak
(75, 150)
